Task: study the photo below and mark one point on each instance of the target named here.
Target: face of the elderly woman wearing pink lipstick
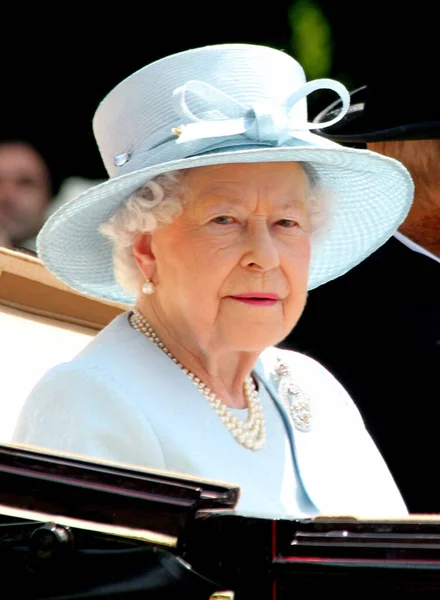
(232, 269)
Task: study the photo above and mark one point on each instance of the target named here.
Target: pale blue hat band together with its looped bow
(214, 115)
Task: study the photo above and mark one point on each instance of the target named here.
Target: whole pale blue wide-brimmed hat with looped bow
(228, 103)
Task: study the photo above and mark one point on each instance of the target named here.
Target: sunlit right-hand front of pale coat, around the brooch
(336, 461)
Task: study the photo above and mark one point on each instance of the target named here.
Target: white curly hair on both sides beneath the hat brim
(159, 201)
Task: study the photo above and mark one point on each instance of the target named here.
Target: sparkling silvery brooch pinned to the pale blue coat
(295, 400)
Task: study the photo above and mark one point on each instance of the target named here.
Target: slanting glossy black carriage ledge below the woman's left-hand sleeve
(107, 494)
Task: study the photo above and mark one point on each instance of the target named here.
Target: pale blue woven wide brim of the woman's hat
(371, 196)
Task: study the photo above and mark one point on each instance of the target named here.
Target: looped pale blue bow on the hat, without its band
(216, 114)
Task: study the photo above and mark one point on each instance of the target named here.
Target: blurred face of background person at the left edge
(24, 191)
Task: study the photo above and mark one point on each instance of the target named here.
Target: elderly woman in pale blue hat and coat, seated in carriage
(222, 209)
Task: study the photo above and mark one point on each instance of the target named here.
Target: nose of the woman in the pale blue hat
(261, 252)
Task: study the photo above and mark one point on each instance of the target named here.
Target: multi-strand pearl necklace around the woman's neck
(252, 433)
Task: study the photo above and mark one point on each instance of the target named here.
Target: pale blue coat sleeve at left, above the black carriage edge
(77, 408)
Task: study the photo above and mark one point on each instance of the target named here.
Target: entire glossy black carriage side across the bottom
(215, 549)
